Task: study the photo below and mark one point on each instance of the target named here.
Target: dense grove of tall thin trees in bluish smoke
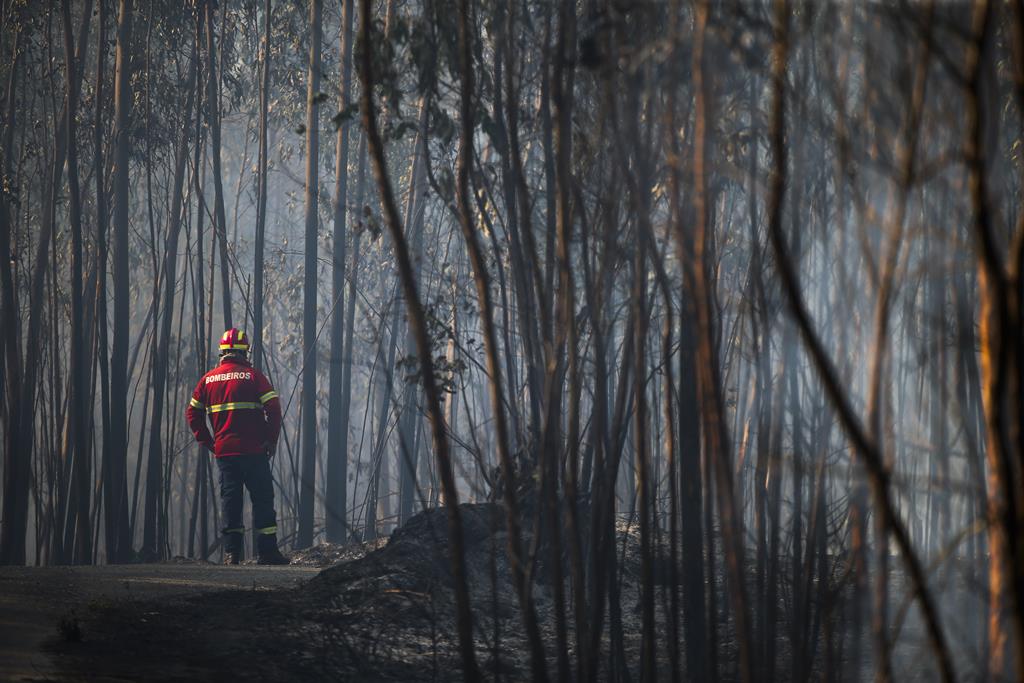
(743, 279)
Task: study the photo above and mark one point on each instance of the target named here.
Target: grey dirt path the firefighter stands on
(34, 601)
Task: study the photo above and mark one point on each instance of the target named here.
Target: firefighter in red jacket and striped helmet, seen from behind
(245, 412)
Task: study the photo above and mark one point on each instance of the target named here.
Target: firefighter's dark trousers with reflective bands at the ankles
(252, 473)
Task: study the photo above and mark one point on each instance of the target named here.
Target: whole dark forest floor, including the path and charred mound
(380, 612)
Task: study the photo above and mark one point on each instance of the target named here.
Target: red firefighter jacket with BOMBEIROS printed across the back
(243, 407)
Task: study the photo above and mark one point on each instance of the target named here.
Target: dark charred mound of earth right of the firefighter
(395, 609)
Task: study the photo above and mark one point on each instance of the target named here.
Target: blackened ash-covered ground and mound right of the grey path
(380, 612)
